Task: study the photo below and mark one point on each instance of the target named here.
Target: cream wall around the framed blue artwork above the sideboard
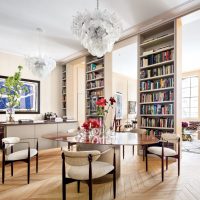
(50, 87)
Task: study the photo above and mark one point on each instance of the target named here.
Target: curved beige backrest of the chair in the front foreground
(80, 158)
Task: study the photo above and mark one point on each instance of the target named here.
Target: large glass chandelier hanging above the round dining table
(97, 30)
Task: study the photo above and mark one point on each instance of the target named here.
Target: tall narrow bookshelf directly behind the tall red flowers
(94, 84)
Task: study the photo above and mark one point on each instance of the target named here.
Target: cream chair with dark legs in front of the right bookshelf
(164, 151)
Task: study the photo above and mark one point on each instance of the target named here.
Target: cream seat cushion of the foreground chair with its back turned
(99, 169)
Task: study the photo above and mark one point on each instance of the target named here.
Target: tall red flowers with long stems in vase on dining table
(103, 107)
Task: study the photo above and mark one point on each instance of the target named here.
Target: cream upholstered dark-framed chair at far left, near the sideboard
(22, 155)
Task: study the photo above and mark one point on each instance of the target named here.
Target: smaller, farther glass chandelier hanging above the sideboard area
(40, 65)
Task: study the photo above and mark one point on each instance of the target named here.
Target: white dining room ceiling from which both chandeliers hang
(20, 18)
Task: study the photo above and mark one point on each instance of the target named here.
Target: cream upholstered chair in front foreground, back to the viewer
(83, 166)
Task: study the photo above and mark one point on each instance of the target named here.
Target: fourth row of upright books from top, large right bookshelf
(157, 96)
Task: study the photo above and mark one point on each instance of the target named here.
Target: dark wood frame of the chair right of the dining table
(164, 144)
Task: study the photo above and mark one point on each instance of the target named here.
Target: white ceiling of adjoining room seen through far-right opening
(191, 42)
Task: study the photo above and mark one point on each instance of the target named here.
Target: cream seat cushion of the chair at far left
(20, 155)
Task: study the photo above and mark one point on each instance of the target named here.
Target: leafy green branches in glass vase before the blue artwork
(12, 90)
